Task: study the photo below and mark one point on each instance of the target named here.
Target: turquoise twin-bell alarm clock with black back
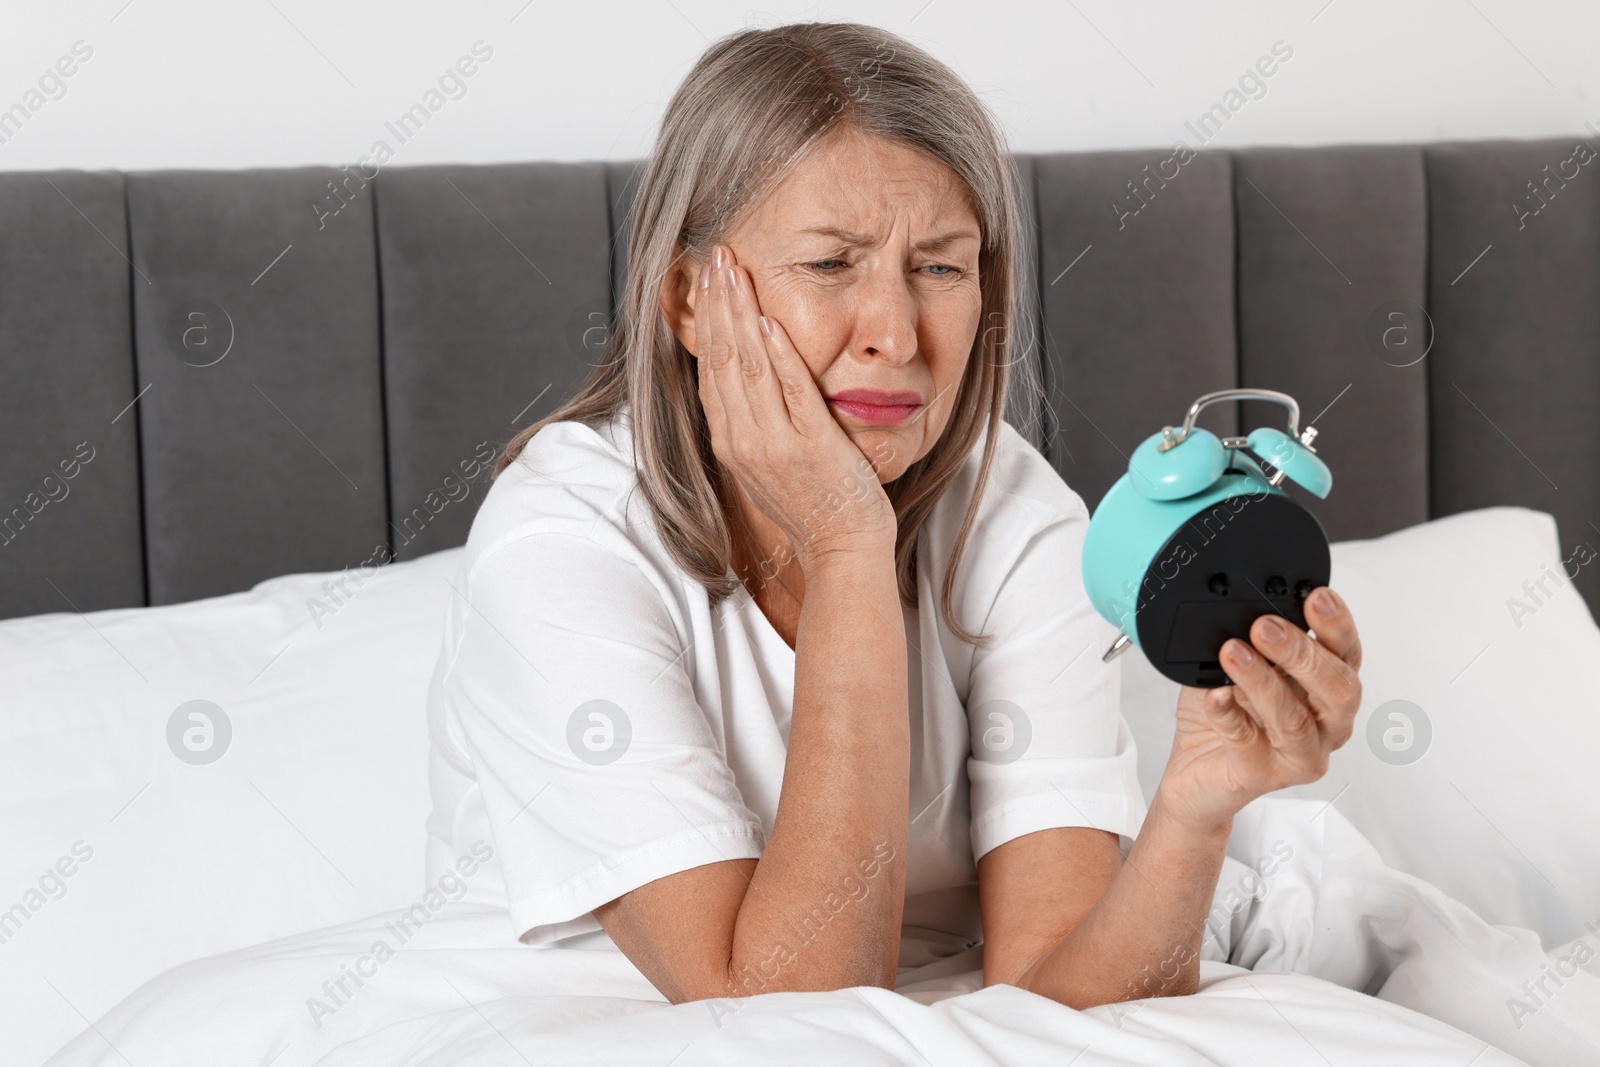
(1198, 540)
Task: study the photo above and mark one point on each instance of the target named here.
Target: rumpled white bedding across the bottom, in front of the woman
(1350, 962)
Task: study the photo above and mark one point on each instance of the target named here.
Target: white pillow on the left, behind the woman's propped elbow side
(314, 815)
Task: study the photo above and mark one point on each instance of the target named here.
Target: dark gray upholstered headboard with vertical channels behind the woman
(209, 378)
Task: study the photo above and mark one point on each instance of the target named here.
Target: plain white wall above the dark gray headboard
(222, 84)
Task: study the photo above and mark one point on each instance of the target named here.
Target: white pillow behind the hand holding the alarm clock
(1502, 809)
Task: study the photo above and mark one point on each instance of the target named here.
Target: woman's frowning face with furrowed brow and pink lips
(868, 255)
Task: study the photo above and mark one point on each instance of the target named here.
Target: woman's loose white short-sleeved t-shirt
(601, 725)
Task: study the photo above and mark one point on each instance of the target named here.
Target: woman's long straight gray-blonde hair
(750, 111)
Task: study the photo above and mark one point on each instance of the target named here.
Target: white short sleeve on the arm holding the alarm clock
(1050, 746)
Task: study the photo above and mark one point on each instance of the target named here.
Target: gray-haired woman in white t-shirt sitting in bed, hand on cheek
(772, 647)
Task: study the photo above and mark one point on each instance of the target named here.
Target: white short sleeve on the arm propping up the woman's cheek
(598, 769)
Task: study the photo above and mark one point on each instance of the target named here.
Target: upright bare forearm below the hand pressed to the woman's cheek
(825, 905)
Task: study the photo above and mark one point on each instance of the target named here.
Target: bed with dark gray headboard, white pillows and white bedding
(260, 404)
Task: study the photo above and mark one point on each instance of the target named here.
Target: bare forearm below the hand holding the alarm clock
(1145, 935)
